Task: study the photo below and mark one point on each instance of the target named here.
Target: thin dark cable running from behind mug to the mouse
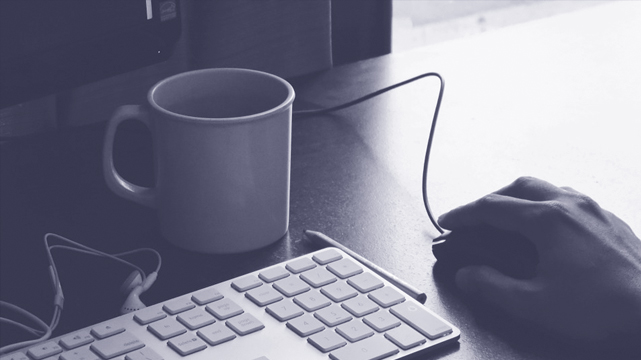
(429, 139)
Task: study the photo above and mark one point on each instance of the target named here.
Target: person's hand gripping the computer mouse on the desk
(588, 280)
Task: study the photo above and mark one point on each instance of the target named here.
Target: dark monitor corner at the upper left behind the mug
(47, 46)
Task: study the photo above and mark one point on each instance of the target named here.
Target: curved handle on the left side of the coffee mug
(140, 194)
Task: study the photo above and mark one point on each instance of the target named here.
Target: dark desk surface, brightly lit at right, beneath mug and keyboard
(556, 98)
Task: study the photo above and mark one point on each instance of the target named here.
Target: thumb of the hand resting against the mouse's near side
(493, 287)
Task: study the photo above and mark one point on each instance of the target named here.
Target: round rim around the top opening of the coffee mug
(280, 107)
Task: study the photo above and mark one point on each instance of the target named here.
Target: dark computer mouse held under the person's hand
(508, 252)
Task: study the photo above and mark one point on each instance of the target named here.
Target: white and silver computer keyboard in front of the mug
(318, 306)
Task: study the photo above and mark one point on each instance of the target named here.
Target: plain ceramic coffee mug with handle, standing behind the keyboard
(222, 146)
